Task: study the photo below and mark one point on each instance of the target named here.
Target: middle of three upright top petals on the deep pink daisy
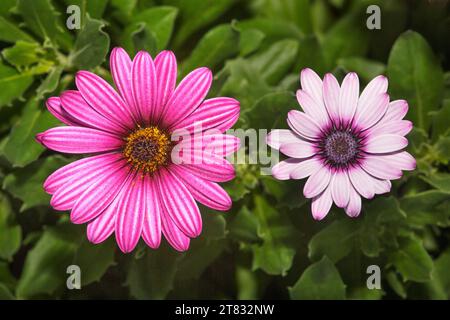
(144, 85)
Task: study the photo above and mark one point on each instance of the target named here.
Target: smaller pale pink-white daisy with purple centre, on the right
(349, 145)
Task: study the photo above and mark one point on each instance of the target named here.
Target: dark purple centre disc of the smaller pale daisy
(340, 148)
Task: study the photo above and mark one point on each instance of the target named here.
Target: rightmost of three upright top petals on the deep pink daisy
(166, 77)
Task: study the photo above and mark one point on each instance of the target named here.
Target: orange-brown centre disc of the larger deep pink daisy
(147, 149)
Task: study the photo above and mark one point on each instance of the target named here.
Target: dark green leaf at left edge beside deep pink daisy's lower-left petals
(26, 183)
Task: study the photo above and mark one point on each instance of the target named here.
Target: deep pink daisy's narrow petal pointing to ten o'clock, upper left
(74, 105)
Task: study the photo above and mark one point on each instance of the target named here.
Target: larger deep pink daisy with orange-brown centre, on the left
(129, 184)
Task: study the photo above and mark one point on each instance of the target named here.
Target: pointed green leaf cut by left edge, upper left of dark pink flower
(13, 84)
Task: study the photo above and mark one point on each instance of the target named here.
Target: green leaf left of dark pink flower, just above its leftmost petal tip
(32, 121)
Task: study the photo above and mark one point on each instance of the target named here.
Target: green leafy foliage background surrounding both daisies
(268, 245)
